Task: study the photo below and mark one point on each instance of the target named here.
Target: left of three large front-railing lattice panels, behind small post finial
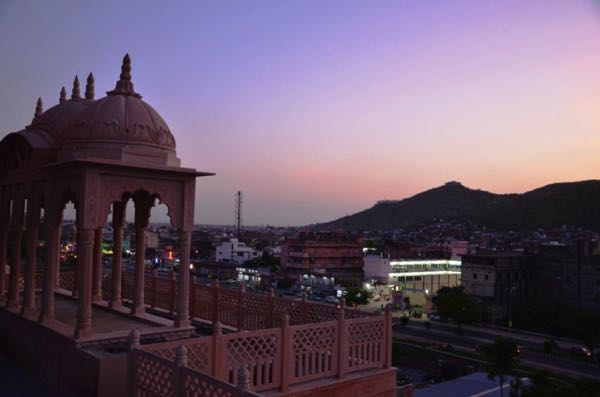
(258, 352)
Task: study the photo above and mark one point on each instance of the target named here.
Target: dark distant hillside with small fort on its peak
(574, 203)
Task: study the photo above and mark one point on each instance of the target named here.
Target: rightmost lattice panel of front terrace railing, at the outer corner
(366, 343)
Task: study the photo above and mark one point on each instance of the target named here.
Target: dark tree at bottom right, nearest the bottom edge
(500, 356)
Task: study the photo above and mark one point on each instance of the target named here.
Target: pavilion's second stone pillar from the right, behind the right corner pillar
(142, 216)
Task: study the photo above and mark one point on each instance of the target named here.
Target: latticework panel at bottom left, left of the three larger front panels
(153, 375)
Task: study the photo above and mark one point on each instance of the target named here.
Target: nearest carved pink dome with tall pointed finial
(121, 118)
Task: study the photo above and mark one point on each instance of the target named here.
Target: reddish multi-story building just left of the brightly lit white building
(324, 254)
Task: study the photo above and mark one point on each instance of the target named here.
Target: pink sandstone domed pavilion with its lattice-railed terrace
(99, 154)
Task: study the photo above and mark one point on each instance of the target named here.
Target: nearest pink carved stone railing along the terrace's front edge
(277, 358)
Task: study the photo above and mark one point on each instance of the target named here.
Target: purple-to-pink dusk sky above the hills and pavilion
(317, 109)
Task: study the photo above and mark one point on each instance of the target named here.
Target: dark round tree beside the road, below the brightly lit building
(452, 302)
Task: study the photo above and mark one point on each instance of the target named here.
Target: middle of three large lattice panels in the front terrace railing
(314, 351)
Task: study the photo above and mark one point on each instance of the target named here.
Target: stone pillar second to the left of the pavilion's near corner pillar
(33, 227)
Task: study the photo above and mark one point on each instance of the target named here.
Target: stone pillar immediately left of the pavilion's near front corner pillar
(52, 237)
